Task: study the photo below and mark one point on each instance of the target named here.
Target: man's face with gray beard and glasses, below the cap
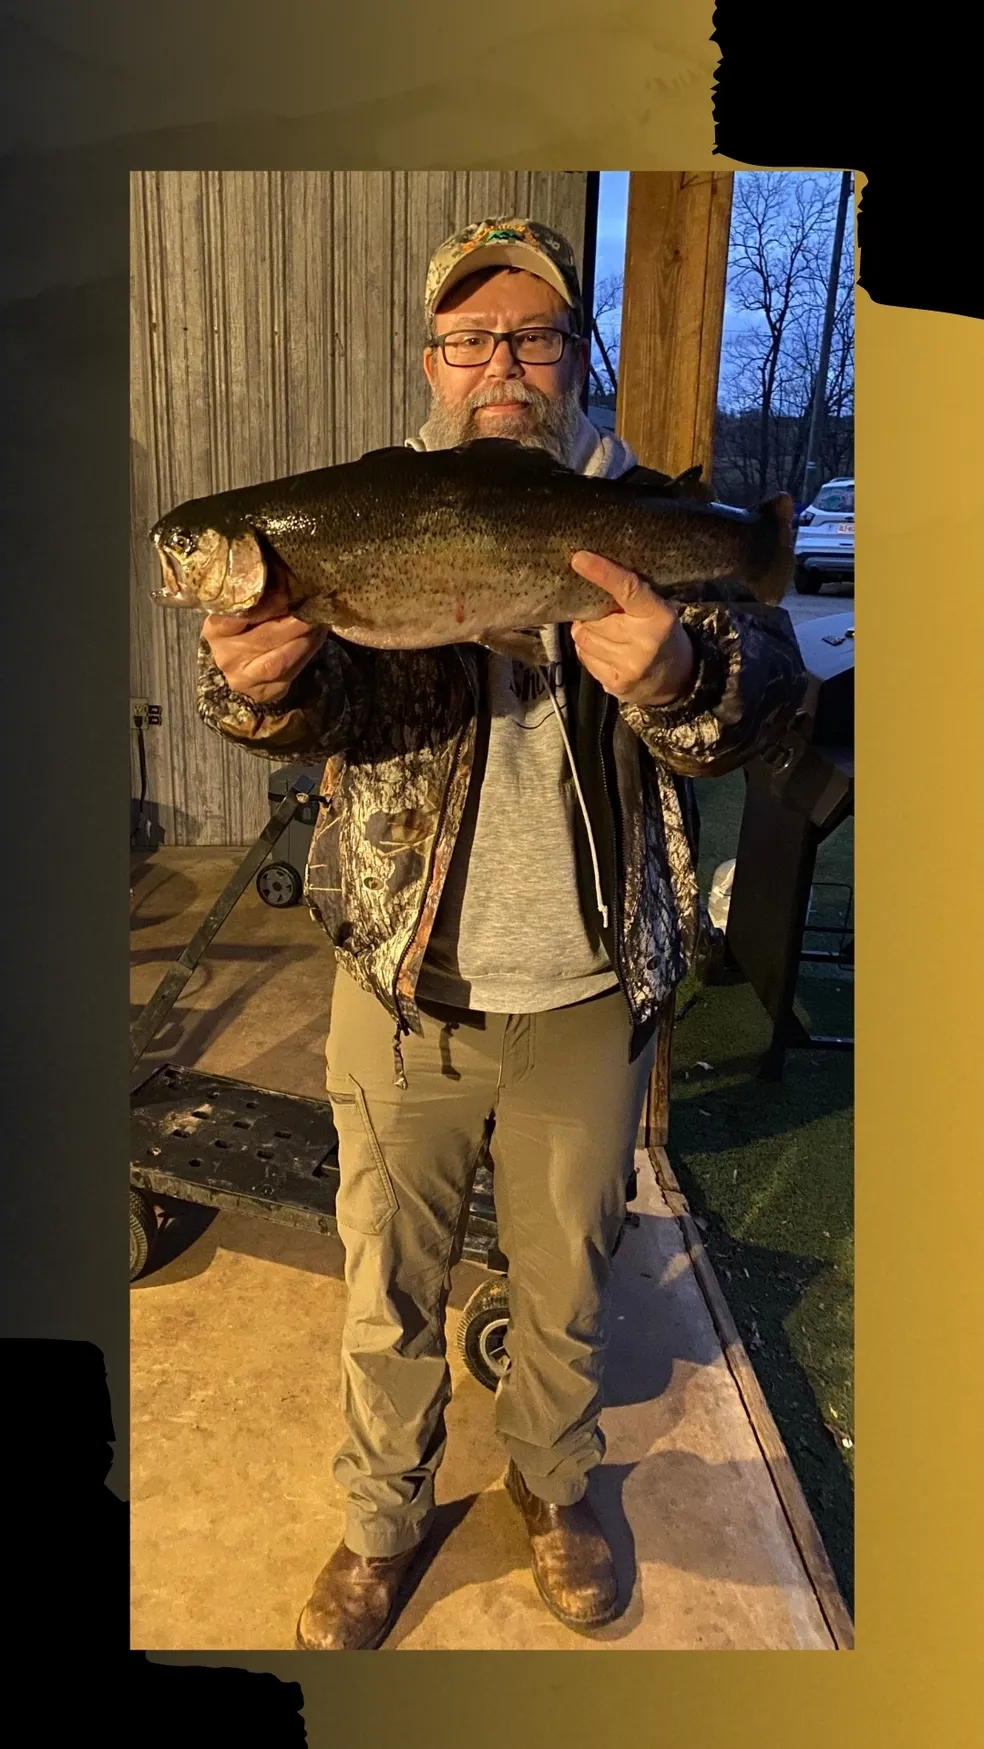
(536, 405)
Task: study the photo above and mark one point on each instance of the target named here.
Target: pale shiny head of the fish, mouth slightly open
(221, 571)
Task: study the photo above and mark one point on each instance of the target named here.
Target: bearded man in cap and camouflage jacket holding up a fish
(509, 923)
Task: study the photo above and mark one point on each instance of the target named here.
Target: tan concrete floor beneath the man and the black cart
(235, 1384)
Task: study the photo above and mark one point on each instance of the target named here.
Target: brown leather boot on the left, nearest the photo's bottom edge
(356, 1601)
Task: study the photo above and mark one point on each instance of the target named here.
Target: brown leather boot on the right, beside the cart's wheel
(572, 1563)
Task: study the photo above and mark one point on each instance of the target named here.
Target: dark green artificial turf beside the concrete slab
(768, 1171)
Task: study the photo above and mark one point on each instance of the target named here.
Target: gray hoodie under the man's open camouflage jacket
(509, 937)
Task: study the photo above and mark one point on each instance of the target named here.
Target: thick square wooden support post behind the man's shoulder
(674, 316)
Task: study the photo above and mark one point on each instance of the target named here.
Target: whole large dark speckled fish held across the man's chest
(413, 552)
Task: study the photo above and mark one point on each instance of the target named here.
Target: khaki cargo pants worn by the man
(567, 1110)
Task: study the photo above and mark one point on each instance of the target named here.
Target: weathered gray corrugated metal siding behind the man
(275, 328)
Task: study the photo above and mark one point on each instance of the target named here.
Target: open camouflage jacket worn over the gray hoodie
(399, 734)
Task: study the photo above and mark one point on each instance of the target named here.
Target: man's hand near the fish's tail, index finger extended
(641, 653)
